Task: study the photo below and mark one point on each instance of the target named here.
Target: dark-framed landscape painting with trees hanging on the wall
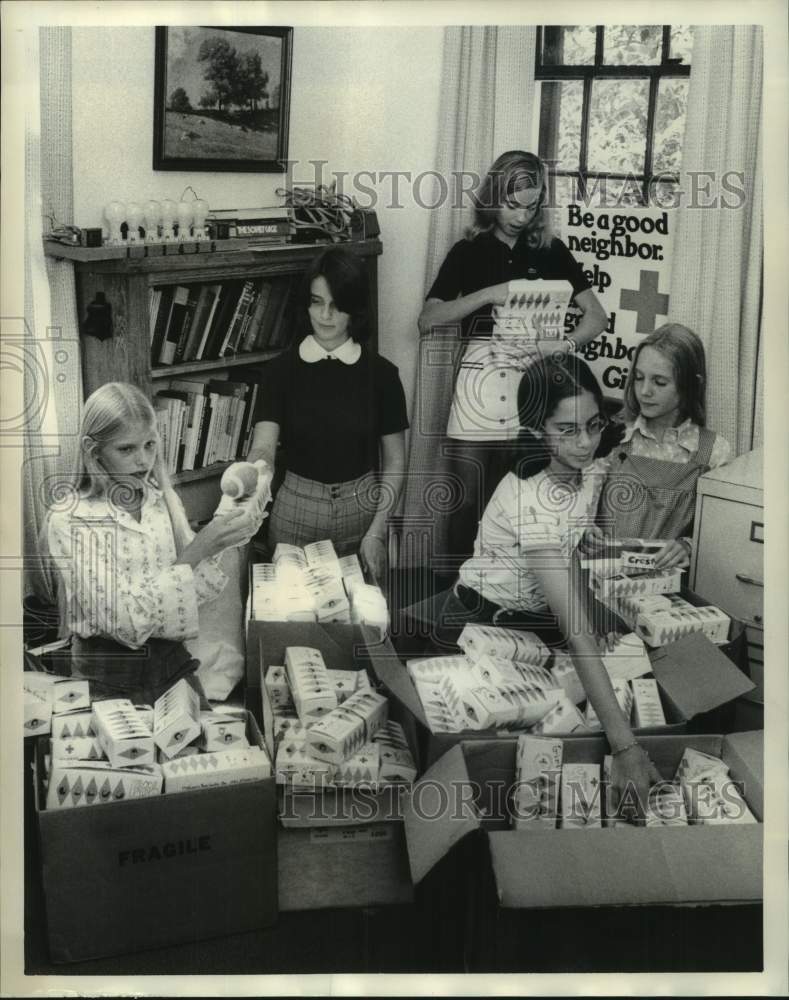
(221, 98)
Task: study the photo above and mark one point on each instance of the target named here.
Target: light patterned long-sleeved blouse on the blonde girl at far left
(118, 573)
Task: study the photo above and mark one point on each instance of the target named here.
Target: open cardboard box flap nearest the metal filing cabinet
(696, 675)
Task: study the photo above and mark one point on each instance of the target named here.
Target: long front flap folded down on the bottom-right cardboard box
(627, 867)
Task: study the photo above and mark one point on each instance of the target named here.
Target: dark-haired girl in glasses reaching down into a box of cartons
(525, 572)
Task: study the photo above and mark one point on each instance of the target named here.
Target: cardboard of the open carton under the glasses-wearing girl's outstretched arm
(693, 676)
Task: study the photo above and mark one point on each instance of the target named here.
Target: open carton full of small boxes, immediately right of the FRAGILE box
(344, 758)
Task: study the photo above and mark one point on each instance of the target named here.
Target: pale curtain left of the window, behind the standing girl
(487, 94)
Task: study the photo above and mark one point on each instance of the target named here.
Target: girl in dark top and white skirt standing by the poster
(509, 240)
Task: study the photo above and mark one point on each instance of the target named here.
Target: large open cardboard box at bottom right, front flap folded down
(515, 873)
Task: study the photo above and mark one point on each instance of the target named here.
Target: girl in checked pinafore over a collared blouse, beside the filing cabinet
(665, 447)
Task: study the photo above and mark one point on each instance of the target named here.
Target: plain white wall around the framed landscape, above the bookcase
(362, 99)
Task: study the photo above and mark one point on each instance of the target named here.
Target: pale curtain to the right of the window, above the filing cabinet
(716, 276)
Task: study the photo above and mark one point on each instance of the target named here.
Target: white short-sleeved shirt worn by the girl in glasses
(526, 517)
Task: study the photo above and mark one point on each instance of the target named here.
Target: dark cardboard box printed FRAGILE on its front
(127, 876)
